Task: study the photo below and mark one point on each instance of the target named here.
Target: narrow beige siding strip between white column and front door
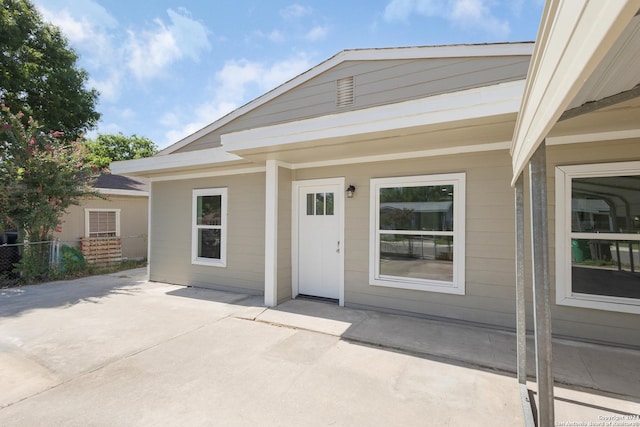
(284, 234)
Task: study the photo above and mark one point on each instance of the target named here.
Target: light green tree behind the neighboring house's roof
(110, 148)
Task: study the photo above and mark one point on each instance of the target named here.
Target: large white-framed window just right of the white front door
(417, 232)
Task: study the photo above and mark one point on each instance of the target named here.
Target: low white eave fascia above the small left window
(211, 156)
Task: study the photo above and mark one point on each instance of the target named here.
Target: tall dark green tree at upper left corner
(39, 74)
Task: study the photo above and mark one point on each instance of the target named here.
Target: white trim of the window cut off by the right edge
(564, 293)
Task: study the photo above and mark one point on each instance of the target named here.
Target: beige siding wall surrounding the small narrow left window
(171, 234)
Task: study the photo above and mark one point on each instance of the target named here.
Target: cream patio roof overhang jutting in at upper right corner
(579, 67)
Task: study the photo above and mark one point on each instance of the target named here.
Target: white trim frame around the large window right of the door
(457, 286)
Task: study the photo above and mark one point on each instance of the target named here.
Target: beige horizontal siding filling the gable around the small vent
(376, 83)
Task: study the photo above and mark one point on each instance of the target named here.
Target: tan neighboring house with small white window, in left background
(123, 213)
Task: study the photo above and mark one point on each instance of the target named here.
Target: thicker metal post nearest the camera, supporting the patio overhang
(541, 285)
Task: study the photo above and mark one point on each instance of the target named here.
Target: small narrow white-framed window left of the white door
(209, 239)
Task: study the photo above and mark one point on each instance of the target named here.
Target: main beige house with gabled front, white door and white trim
(257, 200)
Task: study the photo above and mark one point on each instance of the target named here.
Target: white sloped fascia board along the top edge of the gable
(418, 52)
